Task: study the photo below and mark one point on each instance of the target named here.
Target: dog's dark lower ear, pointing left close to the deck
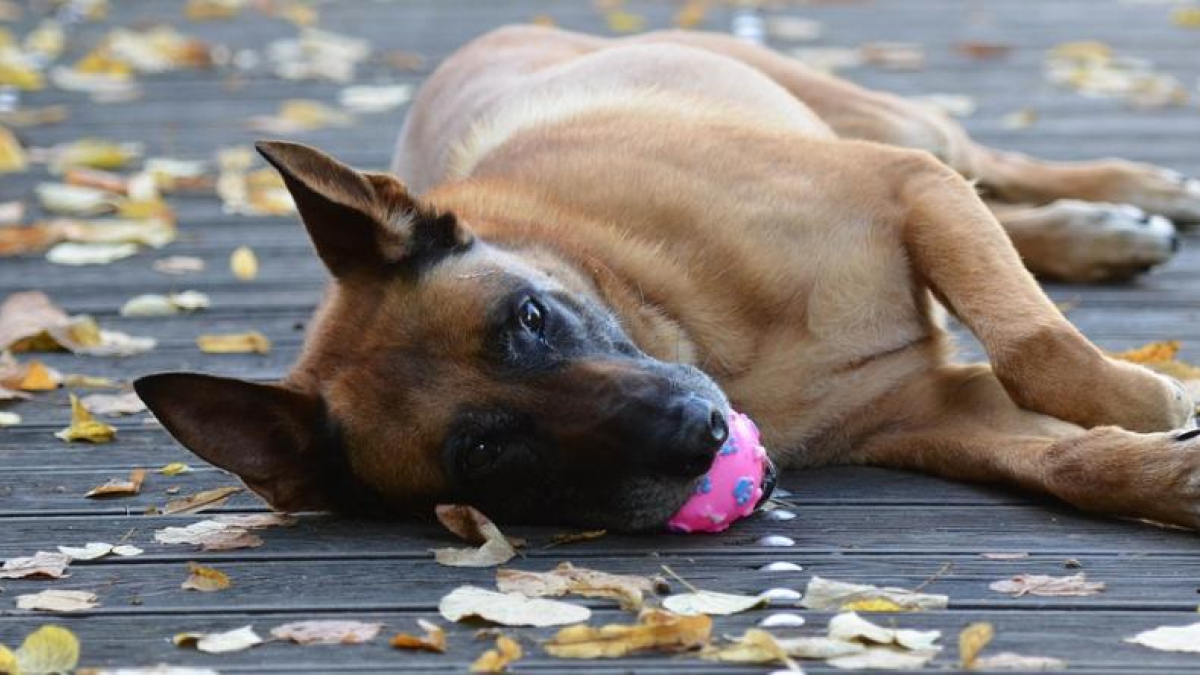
(273, 438)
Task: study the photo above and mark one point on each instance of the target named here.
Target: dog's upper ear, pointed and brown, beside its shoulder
(361, 222)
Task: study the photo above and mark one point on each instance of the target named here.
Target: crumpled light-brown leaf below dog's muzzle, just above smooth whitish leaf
(626, 589)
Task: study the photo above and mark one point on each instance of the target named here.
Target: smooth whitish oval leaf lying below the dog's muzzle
(509, 610)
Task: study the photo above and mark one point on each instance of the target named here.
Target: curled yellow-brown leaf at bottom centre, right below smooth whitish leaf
(656, 630)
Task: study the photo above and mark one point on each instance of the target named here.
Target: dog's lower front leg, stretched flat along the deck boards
(959, 422)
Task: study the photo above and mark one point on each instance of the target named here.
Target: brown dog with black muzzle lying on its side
(596, 248)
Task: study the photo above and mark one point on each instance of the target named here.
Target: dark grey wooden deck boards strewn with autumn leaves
(857, 525)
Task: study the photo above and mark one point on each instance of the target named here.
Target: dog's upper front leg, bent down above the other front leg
(957, 248)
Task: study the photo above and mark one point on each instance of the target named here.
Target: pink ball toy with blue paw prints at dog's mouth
(733, 487)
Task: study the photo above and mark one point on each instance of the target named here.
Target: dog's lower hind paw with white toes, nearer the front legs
(1089, 242)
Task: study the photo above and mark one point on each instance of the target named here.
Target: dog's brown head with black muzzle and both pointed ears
(446, 368)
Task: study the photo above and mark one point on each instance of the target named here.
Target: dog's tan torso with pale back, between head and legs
(719, 217)
